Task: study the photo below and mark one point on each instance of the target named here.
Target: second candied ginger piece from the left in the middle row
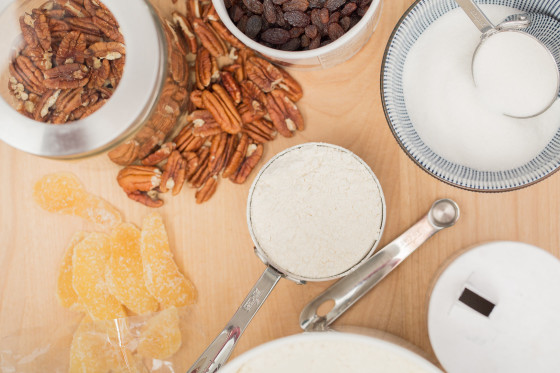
(90, 258)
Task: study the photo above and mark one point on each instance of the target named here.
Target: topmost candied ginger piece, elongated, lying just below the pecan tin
(63, 193)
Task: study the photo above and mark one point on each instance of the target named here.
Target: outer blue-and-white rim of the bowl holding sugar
(401, 145)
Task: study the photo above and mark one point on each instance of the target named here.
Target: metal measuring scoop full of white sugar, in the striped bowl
(516, 66)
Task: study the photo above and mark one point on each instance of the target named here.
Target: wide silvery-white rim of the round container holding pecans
(129, 106)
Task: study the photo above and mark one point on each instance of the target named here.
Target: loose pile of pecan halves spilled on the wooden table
(238, 101)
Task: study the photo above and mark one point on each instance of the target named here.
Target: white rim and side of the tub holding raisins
(326, 56)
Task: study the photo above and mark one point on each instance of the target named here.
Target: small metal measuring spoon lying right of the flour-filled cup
(347, 291)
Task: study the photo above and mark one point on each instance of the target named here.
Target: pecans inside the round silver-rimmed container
(69, 62)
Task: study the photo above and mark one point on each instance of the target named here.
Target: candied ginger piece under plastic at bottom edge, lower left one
(96, 348)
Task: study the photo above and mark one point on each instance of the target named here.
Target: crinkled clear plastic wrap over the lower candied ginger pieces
(129, 344)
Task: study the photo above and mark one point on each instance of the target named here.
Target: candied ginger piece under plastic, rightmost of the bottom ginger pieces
(160, 338)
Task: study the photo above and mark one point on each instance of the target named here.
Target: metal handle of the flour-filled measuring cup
(221, 348)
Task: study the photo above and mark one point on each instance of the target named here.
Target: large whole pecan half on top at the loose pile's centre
(222, 108)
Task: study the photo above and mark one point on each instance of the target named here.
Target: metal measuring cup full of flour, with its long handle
(315, 212)
